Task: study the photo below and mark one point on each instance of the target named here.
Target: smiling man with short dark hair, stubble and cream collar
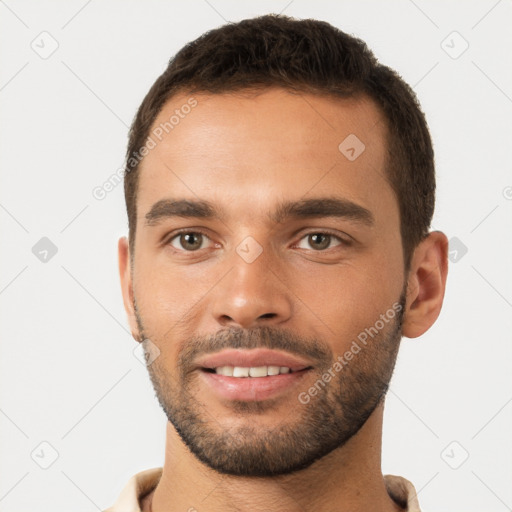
(280, 188)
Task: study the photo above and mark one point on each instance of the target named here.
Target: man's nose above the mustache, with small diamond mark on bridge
(251, 295)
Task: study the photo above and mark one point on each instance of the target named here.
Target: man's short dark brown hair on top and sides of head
(304, 56)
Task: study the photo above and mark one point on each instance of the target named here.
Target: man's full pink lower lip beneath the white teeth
(252, 389)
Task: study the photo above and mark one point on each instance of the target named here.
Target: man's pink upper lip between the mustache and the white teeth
(252, 358)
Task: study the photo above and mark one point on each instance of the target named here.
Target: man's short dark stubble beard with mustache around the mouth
(307, 433)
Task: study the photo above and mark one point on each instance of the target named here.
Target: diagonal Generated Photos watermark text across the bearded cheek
(305, 396)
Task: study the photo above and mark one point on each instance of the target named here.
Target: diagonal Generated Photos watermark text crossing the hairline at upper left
(157, 134)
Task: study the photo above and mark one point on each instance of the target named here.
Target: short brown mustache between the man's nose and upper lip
(261, 337)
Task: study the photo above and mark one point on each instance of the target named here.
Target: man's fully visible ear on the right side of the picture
(426, 284)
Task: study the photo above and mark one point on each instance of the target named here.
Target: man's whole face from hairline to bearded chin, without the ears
(268, 238)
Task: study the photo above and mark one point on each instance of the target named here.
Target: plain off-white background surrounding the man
(69, 377)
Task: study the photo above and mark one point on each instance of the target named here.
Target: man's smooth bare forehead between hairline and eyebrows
(266, 147)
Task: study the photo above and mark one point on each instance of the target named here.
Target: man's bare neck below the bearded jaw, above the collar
(349, 477)
